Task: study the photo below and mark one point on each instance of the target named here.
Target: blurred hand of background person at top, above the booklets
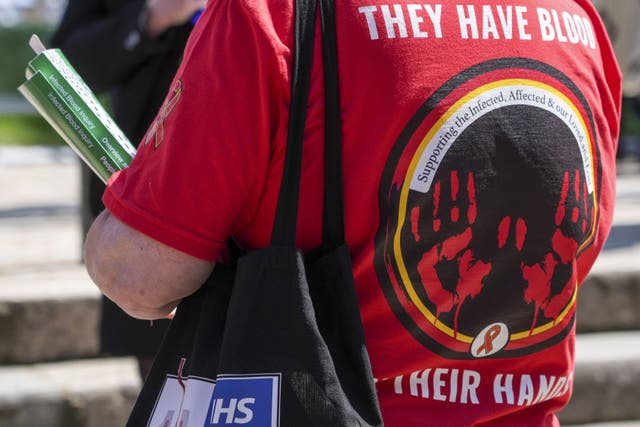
(164, 14)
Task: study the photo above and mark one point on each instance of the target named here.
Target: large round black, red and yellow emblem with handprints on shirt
(488, 197)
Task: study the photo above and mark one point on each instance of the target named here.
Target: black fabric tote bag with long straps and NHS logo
(282, 321)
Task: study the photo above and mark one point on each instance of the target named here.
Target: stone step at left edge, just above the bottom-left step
(48, 314)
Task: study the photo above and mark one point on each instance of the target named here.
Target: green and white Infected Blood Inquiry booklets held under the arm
(60, 95)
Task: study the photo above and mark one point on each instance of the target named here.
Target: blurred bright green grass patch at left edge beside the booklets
(27, 129)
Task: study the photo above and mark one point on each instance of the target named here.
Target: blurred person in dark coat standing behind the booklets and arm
(130, 49)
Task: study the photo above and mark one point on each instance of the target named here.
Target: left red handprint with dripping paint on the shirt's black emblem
(454, 249)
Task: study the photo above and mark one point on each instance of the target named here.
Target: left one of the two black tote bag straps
(284, 226)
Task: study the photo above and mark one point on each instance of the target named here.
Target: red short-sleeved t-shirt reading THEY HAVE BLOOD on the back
(479, 150)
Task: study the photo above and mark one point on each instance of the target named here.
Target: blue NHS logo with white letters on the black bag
(250, 401)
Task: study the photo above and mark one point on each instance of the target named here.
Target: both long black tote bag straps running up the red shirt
(287, 208)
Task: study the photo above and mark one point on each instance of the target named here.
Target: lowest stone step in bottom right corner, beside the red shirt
(607, 378)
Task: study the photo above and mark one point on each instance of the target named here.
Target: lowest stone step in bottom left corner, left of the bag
(85, 393)
